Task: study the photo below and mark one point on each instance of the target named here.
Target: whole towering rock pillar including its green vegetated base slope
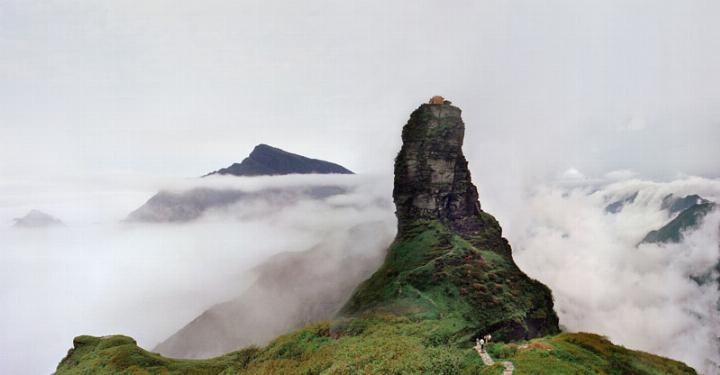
(449, 257)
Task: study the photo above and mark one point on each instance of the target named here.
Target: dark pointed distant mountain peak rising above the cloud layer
(266, 160)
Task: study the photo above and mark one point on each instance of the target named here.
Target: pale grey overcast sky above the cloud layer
(180, 88)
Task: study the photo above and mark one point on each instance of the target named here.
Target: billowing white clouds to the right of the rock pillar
(642, 296)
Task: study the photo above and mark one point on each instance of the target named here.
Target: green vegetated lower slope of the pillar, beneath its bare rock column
(432, 272)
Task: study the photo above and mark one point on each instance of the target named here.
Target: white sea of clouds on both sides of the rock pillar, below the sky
(100, 275)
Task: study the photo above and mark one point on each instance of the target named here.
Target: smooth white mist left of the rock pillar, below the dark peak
(99, 276)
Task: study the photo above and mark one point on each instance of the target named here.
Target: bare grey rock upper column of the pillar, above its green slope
(432, 180)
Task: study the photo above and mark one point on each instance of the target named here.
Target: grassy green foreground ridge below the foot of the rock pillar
(375, 344)
